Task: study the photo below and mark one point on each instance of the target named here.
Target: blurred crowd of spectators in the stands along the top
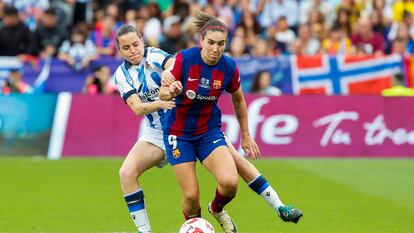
(80, 31)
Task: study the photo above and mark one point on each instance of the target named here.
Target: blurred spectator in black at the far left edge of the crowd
(15, 36)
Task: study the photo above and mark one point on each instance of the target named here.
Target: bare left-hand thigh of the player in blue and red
(187, 178)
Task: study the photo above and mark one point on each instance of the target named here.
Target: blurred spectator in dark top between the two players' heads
(173, 40)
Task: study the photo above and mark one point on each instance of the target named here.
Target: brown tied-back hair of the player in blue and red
(205, 23)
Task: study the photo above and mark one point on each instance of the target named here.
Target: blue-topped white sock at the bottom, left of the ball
(136, 206)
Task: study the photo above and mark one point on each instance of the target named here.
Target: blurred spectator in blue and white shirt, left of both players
(77, 51)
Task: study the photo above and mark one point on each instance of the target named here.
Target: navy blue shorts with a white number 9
(184, 149)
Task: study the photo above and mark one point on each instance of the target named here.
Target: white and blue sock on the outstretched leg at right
(263, 188)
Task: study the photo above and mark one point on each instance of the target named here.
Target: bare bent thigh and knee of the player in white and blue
(143, 156)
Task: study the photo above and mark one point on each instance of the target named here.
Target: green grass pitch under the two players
(83, 195)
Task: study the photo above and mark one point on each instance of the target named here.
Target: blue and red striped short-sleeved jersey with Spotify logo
(196, 109)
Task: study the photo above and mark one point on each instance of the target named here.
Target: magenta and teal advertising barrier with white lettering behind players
(296, 126)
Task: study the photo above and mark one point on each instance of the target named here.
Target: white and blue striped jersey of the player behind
(145, 80)
